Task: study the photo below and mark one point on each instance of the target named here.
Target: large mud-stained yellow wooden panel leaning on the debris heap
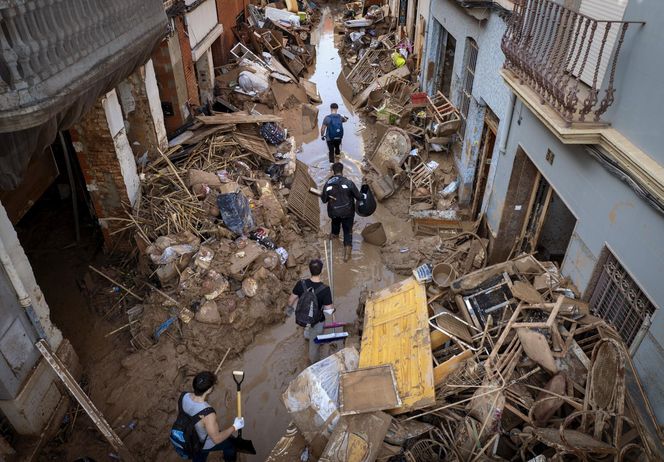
(396, 332)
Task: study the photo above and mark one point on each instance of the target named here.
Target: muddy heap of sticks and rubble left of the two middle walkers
(218, 250)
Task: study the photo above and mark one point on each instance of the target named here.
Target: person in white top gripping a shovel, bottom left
(207, 428)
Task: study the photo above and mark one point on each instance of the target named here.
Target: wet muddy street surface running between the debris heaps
(278, 353)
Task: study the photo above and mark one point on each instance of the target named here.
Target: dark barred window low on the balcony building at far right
(618, 299)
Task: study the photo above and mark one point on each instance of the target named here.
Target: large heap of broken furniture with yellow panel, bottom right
(511, 366)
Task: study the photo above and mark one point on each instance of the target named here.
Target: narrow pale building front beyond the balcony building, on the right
(462, 59)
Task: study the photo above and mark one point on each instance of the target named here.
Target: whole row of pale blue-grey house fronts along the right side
(560, 151)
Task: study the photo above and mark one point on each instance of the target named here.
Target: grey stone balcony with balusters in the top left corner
(57, 57)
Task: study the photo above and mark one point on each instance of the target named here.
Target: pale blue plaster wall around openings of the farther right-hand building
(488, 87)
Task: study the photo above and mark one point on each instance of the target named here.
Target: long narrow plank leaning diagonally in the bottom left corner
(90, 409)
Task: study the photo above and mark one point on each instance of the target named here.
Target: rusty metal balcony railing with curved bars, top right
(565, 56)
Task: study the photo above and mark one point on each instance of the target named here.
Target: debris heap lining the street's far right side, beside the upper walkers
(410, 163)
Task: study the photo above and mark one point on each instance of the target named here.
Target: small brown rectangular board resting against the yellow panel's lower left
(368, 390)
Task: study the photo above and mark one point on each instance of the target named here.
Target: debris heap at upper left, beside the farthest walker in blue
(265, 73)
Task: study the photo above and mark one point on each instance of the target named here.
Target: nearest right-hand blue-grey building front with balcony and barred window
(581, 179)
